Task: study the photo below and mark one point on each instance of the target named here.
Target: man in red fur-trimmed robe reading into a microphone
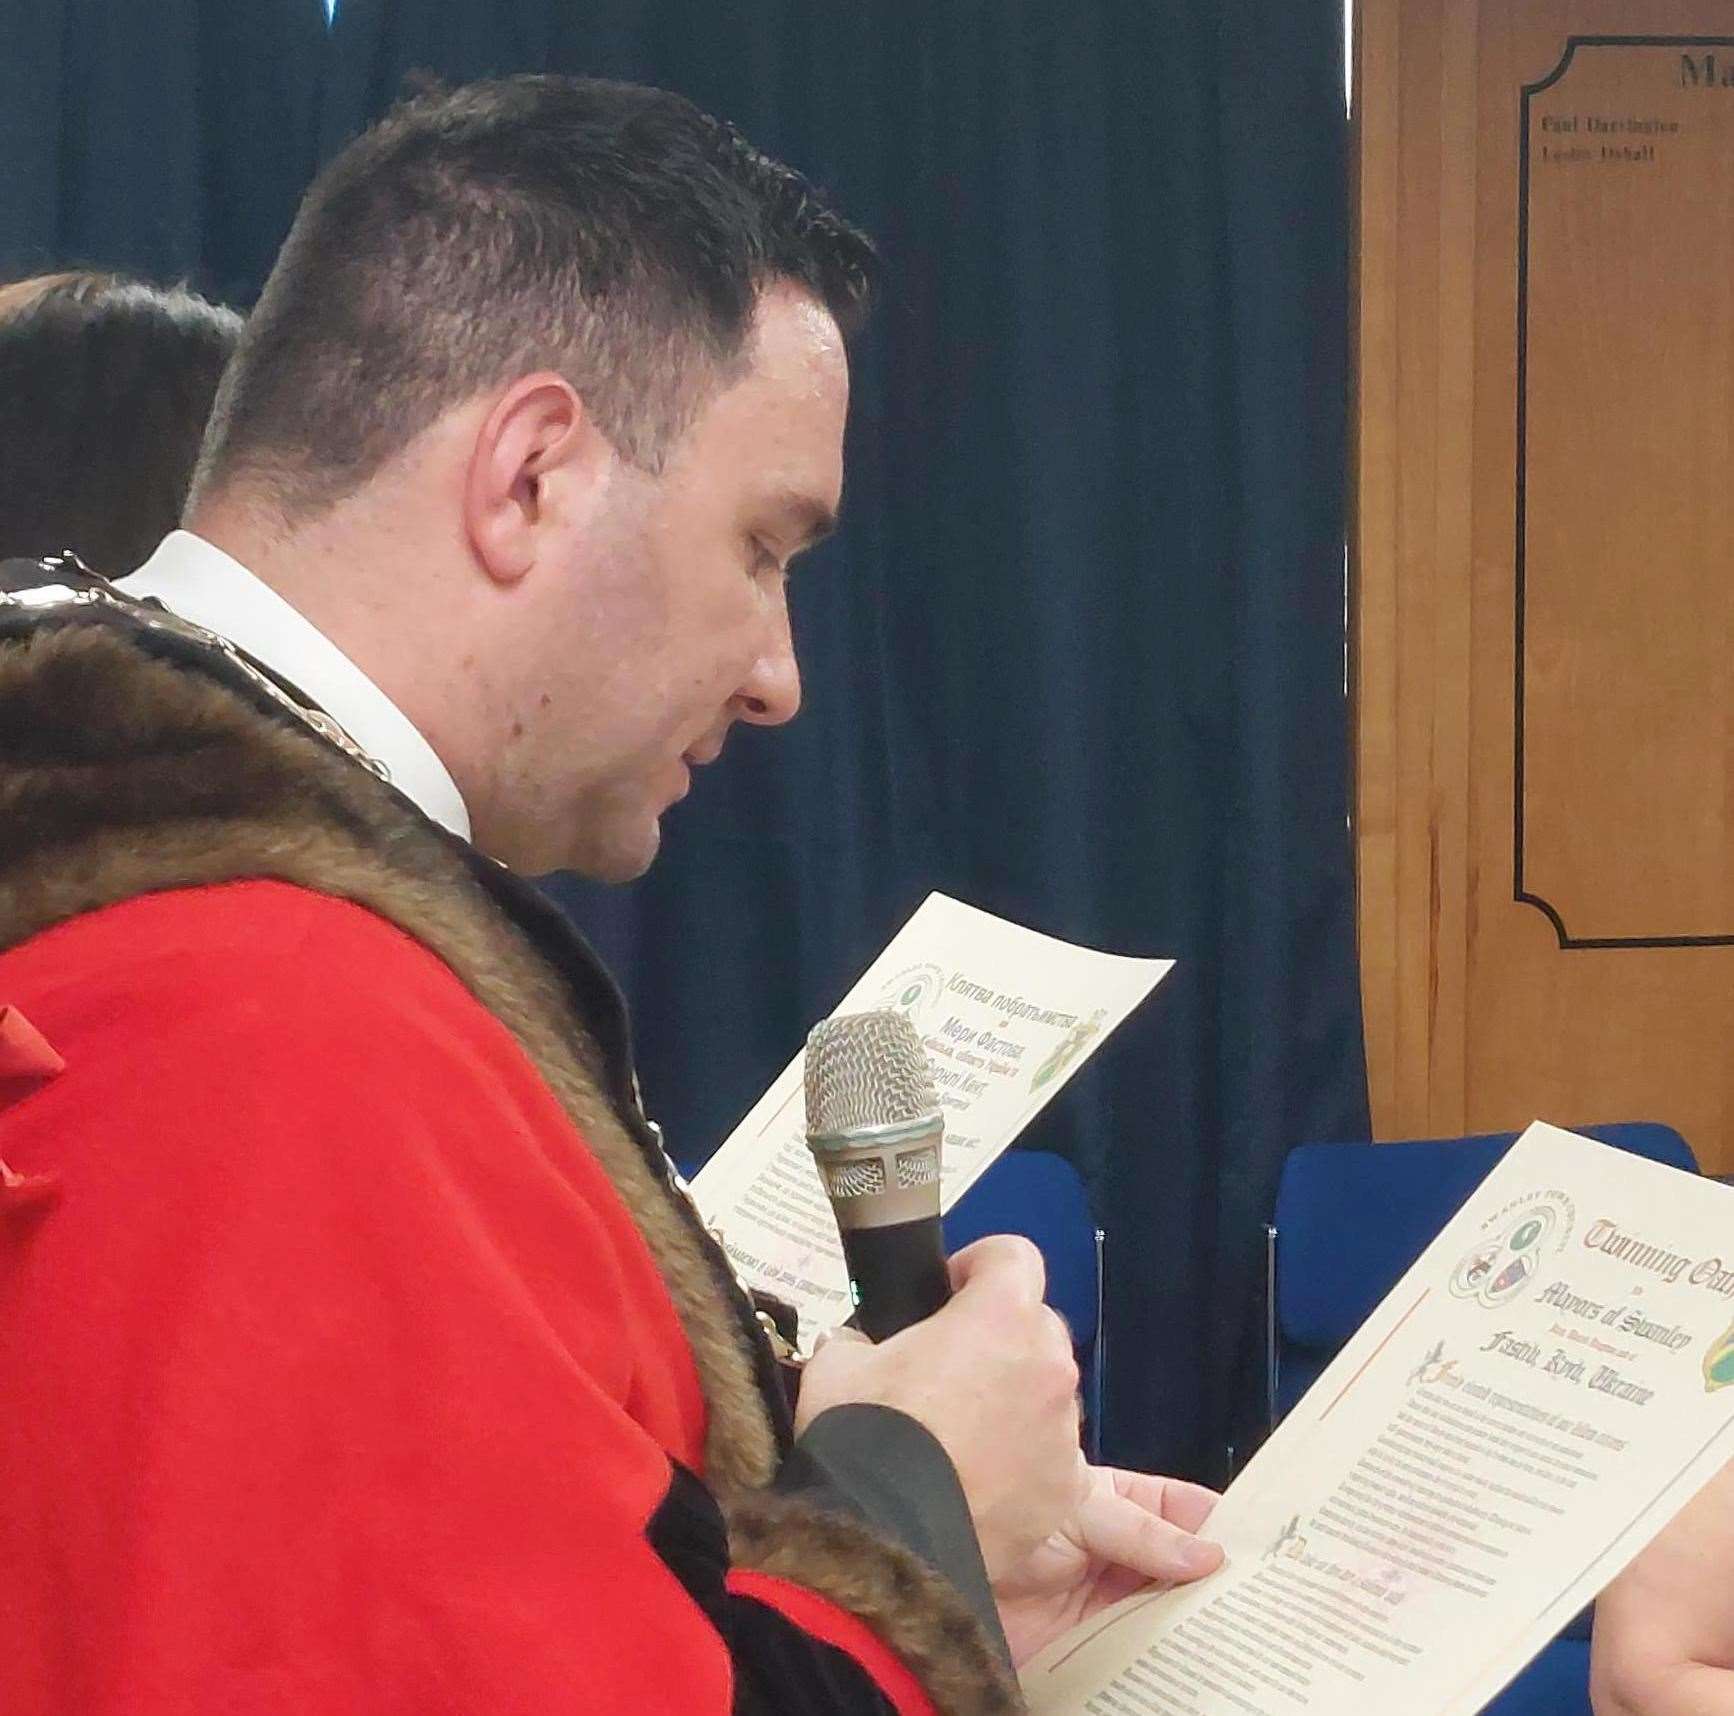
(362, 1349)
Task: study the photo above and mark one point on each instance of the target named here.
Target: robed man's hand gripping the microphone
(993, 1377)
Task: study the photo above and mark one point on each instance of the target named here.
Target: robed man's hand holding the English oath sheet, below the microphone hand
(1130, 1530)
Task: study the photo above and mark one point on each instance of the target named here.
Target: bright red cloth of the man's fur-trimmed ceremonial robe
(337, 1375)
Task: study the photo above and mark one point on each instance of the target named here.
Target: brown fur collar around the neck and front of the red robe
(122, 774)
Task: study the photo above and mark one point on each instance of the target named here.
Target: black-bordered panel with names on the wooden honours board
(1626, 493)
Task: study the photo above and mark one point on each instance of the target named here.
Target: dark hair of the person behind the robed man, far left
(105, 389)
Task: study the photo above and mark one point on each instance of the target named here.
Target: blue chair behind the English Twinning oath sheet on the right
(1350, 1219)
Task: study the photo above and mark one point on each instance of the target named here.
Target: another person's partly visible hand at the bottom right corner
(1666, 1627)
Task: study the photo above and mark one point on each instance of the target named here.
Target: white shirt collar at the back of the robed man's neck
(202, 583)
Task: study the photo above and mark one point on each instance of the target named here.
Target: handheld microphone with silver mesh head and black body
(875, 1128)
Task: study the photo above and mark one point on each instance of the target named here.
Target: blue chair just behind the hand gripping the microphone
(1041, 1197)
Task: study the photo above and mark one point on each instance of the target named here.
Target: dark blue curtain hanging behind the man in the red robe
(1079, 651)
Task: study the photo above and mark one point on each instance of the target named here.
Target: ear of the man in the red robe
(537, 460)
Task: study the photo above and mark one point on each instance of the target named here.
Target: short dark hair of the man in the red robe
(606, 231)
